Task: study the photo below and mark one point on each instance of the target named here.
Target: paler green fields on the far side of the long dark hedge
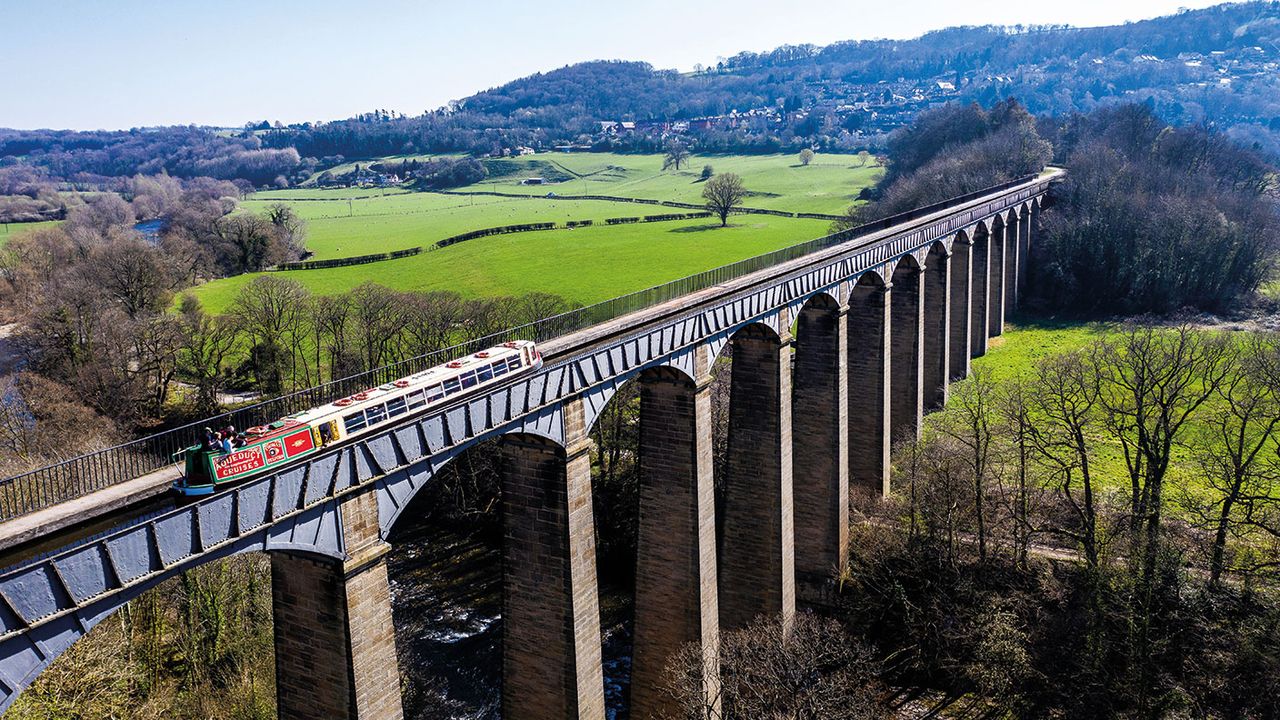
(346, 222)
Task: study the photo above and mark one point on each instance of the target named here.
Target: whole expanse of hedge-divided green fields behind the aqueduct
(584, 266)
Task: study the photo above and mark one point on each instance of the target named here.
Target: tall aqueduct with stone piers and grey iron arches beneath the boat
(835, 354)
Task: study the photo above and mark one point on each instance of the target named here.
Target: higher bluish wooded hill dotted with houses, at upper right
(1219, 65)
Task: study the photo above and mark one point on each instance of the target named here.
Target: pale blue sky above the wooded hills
(129, 63)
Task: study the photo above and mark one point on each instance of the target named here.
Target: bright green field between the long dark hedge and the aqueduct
(583, 266)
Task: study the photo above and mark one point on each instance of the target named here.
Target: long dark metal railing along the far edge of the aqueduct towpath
(81, 476)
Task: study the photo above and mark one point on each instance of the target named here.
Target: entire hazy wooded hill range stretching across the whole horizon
(1215, 66)
